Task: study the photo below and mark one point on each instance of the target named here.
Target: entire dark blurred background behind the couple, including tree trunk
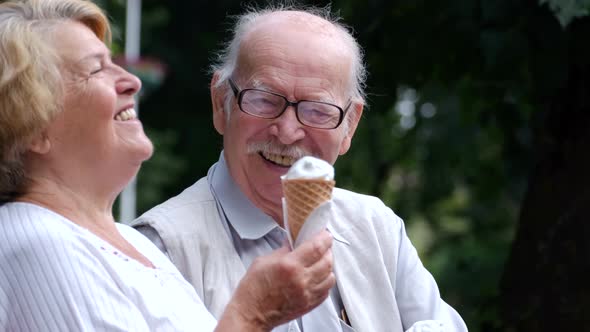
(474, 134)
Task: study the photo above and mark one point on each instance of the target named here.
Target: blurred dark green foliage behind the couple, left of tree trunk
(457, 104)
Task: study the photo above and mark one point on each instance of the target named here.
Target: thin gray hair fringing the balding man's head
(226, 60)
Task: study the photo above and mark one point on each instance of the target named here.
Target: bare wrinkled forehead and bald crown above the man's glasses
(269, 57)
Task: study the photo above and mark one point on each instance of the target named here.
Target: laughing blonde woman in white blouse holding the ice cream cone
(70, 141)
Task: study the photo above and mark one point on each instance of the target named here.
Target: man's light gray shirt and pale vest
(382, 283)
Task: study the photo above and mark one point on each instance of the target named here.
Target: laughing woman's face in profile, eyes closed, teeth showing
(98, 135)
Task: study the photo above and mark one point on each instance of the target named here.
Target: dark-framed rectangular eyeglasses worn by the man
(269, 105)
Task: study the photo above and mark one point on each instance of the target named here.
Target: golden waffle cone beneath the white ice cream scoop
(303, 196)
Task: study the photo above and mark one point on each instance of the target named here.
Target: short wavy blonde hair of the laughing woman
(31, 90)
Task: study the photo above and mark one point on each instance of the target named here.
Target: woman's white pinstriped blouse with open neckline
(57, 276)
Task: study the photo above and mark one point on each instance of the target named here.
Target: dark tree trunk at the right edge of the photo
(546, 282)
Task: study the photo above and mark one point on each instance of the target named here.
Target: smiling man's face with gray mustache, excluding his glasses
(300, 65)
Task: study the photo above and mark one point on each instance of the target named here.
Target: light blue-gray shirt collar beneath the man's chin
(248, 221)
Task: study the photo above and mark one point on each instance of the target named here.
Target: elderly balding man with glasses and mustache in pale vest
(290, 84)
